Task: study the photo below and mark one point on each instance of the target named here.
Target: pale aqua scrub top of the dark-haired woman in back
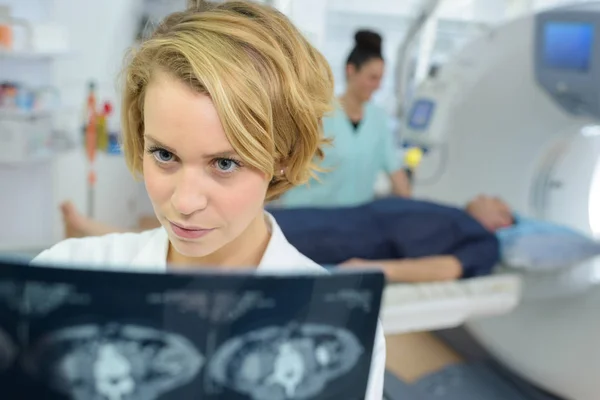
(352, 162)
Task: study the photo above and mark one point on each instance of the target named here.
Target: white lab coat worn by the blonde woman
(147, 252)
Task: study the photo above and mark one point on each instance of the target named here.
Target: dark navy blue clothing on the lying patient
(393, 228)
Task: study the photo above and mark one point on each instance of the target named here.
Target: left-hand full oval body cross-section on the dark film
(113, 362)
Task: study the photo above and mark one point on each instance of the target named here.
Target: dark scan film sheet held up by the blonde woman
(73, 334)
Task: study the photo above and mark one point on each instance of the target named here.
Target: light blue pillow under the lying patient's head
(539, 245)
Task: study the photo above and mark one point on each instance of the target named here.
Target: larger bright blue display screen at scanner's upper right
(568, 45)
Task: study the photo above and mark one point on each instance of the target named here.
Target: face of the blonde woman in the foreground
(202, 193)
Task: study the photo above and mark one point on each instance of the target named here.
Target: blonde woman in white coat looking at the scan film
(222, 111)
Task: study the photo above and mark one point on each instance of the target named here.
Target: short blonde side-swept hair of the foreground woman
(270, 86)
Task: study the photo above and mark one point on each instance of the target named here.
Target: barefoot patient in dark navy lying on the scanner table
(411, 240)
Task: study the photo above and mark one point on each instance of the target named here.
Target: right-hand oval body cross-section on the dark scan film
(277, 363)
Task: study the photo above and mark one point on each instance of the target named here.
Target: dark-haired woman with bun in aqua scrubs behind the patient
(363, 144)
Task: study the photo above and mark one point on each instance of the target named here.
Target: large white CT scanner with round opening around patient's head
(516, 114)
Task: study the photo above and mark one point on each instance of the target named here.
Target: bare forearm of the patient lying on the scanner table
(424, 269)
